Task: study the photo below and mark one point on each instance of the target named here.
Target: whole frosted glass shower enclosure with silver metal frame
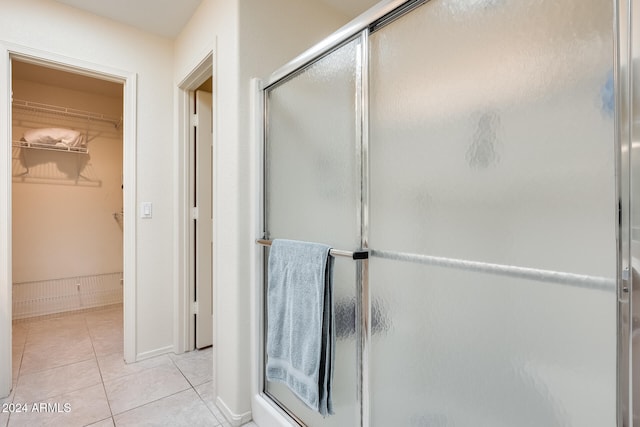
(484, 154)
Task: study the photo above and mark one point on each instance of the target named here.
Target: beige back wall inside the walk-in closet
(63, 225)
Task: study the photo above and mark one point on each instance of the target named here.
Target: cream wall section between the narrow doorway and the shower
(250, 38)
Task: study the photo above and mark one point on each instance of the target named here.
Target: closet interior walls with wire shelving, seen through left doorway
(67, 216)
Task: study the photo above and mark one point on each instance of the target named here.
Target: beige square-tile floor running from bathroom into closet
(74, 363)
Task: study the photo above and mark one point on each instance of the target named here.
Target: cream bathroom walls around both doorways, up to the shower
(251, 38)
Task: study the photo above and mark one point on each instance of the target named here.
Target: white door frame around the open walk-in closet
(9, 52)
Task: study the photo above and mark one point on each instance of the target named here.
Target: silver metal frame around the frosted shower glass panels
(626, 76)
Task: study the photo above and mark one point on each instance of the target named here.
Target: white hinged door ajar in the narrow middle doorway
(203, 131)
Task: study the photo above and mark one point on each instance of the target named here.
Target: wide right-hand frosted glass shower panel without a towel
(492, 215)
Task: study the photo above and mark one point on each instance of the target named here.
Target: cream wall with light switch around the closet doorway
(52, 27)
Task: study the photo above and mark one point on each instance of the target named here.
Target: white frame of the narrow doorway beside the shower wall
(184, 329)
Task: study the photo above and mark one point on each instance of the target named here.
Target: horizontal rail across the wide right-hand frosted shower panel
(578, 280)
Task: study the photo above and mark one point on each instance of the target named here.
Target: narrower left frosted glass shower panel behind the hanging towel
(313, 194)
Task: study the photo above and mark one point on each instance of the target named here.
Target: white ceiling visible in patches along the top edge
(167, 18)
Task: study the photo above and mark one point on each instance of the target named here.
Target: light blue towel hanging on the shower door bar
(300, 334)
